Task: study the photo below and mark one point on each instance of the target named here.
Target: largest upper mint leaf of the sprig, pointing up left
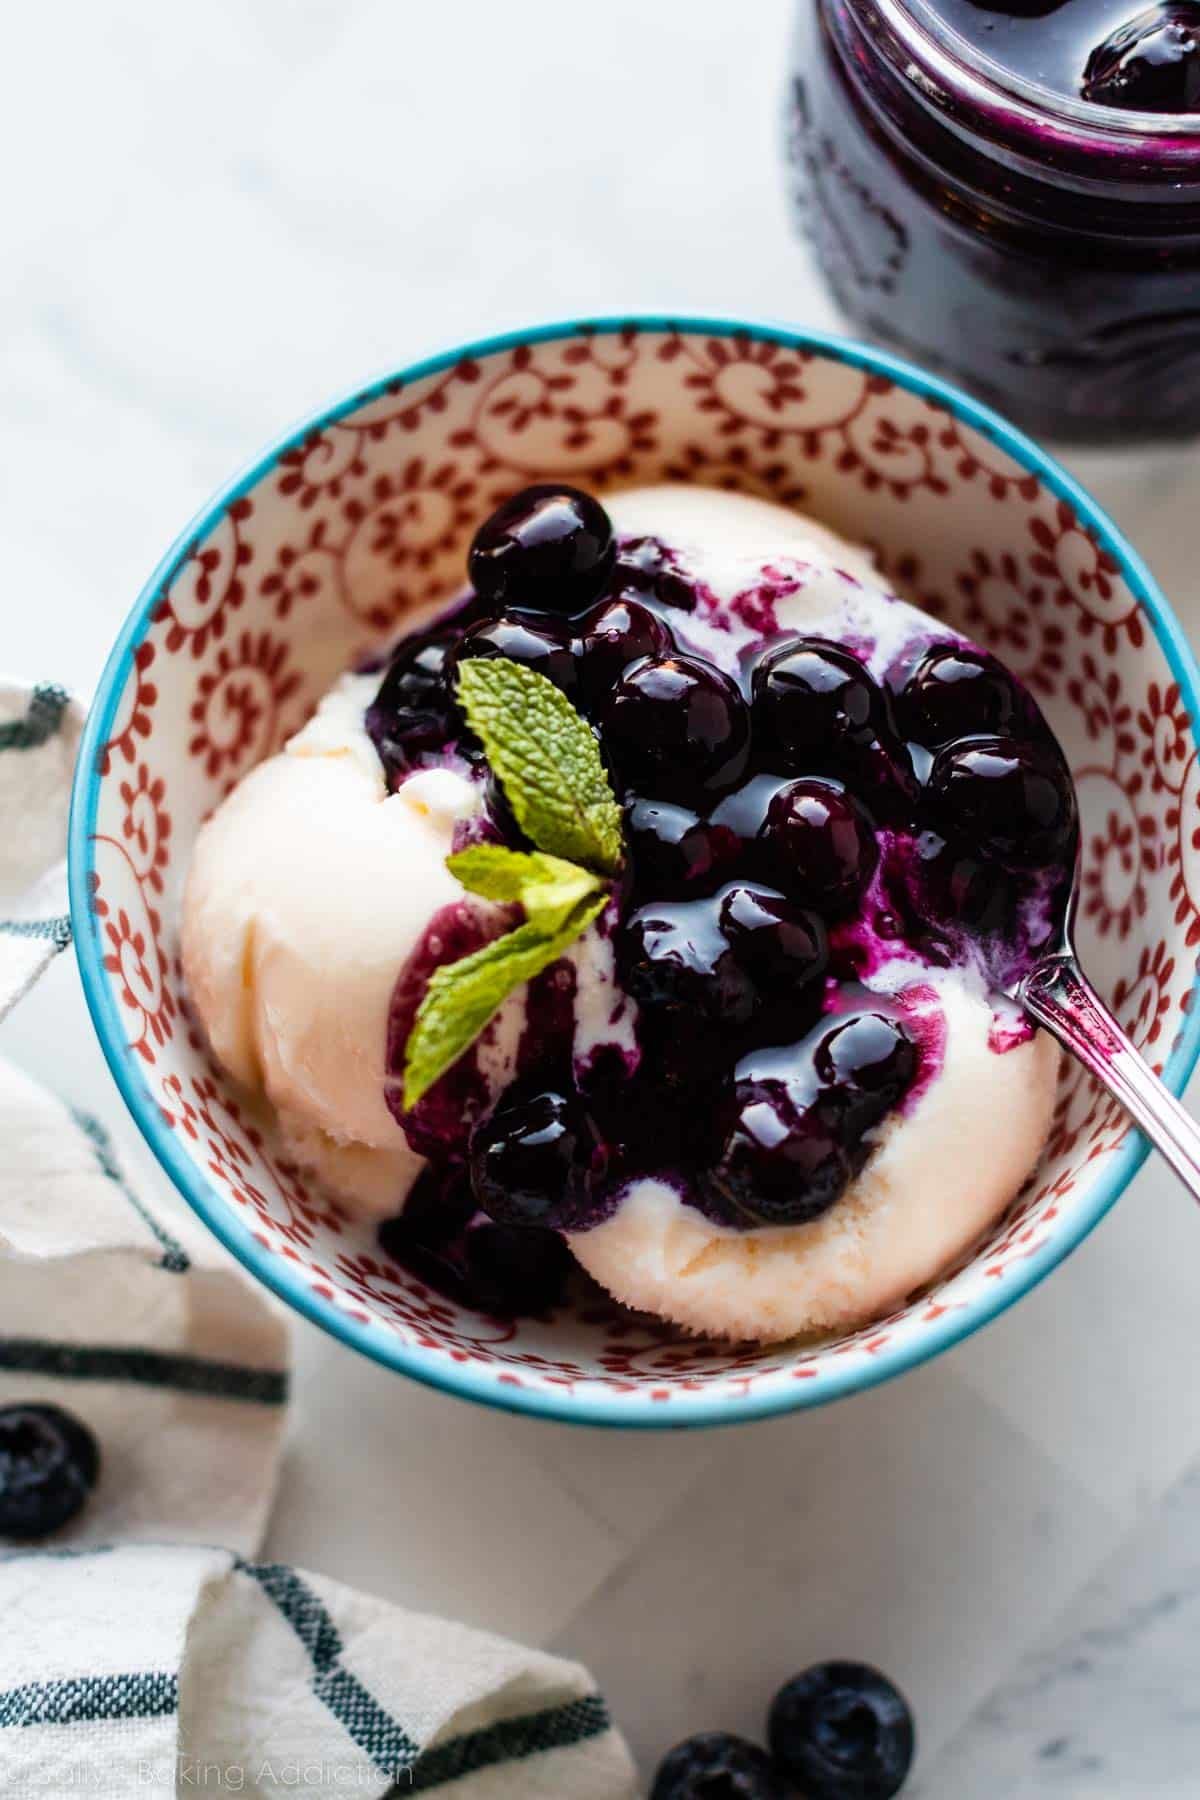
(546, 759)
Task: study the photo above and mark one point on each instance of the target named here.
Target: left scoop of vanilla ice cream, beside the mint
(309, 890)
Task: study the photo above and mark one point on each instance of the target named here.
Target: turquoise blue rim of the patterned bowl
(685, 1410)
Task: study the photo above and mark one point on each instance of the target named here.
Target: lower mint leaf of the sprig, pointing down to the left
(463, 996)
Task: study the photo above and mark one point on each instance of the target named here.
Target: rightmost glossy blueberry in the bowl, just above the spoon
(1005, 800)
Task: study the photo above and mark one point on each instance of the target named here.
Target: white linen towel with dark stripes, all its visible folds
(136, 1659)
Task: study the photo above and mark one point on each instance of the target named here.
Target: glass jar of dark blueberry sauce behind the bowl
(1010, 192)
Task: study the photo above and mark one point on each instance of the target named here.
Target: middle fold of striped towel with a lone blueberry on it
(127, 1313)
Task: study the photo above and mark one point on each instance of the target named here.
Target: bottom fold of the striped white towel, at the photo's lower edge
(163, 1673)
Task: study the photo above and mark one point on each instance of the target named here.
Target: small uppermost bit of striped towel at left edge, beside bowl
(39, 741)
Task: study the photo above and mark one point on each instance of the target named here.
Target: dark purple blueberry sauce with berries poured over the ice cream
(812, 825)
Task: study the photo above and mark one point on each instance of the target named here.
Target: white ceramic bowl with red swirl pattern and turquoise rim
(364, 514)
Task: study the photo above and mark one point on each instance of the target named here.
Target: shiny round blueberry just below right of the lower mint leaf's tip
(537, 1158)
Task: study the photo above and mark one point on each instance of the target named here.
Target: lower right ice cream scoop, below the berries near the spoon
(938, 1174)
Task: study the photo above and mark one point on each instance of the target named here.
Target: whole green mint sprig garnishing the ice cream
(548, 762)
